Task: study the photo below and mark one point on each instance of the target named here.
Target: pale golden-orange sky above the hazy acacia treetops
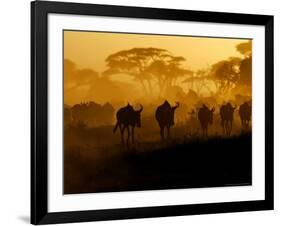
(90, 49)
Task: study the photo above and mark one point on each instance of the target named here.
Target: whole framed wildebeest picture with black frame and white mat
(145, 112)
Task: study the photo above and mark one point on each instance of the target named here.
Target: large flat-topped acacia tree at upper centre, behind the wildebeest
(147, 66)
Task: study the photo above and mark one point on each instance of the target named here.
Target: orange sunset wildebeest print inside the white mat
(155, 111)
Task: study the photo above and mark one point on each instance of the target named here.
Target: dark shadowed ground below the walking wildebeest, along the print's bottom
(156, 165)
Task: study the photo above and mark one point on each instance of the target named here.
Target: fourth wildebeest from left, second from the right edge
(226, 113)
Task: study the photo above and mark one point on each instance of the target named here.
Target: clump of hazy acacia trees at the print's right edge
(225, 75)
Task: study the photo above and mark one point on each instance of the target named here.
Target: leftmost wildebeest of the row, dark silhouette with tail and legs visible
(128, 117)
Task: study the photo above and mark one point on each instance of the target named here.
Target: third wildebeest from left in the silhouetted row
(205, 117)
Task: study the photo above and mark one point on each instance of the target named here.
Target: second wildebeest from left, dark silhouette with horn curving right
(165, 117)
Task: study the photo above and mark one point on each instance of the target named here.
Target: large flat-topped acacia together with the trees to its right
(150, 66)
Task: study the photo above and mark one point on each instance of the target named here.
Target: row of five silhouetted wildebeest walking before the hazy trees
(128, 118)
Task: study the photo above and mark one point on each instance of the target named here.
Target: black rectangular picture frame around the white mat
(39, 113)
